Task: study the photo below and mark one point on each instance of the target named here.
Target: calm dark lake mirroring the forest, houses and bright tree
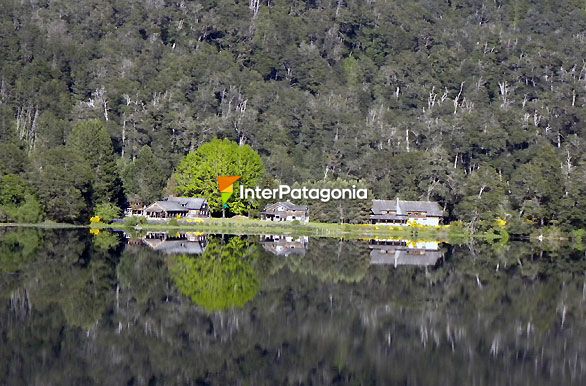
(174, 308)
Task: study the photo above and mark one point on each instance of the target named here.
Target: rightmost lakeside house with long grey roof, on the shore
(399, 212)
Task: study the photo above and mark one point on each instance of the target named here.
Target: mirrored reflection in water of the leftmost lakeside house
(176, 243)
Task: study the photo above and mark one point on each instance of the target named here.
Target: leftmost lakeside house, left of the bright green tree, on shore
(173, 207)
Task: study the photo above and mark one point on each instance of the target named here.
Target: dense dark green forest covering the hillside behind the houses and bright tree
(476, 104)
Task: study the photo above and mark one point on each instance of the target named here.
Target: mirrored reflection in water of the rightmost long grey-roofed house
(404, 252)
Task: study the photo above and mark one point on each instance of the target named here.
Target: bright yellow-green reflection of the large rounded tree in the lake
(222, 277)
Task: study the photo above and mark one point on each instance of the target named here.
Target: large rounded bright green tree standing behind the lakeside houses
(197, 174)
